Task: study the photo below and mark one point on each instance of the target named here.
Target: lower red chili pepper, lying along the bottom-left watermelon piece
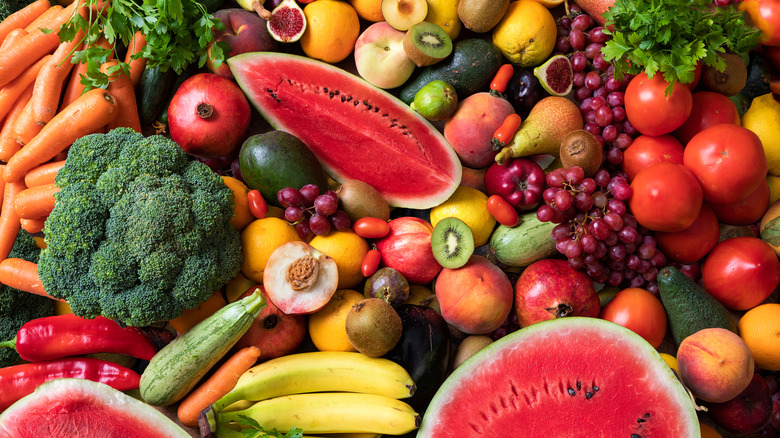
(20, 380)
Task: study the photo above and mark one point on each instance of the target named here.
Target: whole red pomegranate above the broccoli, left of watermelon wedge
(209, 116)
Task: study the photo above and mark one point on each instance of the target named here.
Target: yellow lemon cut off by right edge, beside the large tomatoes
(763, 118)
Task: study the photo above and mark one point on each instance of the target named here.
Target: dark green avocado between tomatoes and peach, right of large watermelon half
(689, 307)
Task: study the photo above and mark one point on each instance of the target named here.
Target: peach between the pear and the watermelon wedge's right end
(470, 130)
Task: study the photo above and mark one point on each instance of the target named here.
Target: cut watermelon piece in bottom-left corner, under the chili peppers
(75, 408)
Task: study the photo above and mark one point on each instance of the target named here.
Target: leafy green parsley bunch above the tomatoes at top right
(672, 36)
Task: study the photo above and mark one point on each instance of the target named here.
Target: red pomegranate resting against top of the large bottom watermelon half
(550, 288)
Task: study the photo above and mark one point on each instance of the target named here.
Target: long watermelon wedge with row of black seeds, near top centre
(355, 129)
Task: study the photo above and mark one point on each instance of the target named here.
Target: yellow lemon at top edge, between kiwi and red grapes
(526, 35)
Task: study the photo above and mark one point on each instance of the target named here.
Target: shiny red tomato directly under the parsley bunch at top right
(650, 111)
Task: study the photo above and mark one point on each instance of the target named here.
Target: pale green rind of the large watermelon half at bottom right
(489, 357)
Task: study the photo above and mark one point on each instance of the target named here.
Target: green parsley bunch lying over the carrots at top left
(178, 33)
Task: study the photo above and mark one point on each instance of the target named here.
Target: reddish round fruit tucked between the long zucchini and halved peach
(273, 331)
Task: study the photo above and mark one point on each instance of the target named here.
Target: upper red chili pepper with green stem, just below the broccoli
(58, 336)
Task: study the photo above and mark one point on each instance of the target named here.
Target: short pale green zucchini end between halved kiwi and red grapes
(531, 240)
